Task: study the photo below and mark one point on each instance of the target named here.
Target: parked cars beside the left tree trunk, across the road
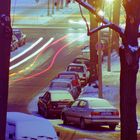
(18, 39)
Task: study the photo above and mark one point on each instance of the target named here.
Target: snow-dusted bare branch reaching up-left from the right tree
(93, 10)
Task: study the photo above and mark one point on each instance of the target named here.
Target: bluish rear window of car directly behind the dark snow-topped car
(59, 85)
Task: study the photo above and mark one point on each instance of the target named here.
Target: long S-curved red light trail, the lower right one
(52, 62)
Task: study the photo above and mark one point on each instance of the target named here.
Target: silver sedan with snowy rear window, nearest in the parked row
(87, 111)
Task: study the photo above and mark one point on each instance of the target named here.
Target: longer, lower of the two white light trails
(32, 55)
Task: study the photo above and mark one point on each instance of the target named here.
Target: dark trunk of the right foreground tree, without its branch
(129, 67)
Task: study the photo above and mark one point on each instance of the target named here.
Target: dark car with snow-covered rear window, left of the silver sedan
(53, 101)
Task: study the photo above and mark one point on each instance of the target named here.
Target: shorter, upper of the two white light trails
(25, 51)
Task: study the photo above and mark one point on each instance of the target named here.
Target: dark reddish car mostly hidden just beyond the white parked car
(82, 60)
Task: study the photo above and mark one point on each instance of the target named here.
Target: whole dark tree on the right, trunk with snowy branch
(129, 60)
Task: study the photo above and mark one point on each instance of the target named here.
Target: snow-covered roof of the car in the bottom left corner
(29, 125)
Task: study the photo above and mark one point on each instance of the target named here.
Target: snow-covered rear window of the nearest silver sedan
(99, 103)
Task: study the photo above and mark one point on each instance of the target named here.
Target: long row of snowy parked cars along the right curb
(71, 98)
